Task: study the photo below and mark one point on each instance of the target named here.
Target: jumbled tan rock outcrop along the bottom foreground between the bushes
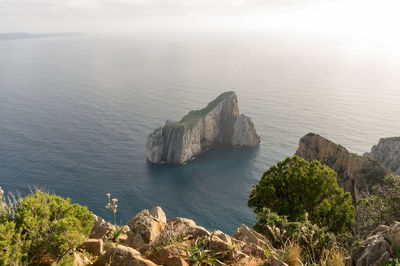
(154, 240)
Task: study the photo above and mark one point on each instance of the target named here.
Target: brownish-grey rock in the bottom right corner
(377, 248)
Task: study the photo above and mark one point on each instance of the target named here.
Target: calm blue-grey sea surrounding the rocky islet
(75, 113)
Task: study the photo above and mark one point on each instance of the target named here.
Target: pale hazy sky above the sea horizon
(361, 17)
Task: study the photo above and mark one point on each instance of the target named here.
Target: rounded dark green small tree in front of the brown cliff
(295, 187)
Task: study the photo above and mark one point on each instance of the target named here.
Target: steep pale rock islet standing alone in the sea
(217, 124)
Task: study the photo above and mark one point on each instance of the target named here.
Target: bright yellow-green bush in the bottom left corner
(43, 228)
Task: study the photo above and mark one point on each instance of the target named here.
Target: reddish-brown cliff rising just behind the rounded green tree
(355, 173)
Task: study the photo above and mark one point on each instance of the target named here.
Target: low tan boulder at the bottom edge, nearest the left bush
(122, 256)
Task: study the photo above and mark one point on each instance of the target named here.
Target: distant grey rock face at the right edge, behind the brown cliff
(387, 152)
